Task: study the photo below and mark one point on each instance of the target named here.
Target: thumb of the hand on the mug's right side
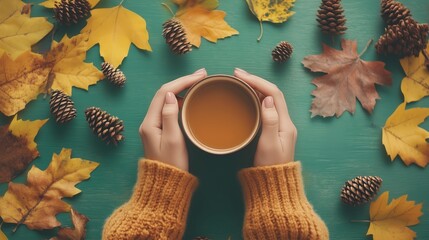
(270, 120)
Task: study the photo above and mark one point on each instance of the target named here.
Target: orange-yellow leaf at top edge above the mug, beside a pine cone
(200, 19)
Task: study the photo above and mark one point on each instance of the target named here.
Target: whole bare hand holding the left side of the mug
(160, 132)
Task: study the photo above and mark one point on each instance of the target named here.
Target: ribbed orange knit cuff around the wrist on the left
(164, 188)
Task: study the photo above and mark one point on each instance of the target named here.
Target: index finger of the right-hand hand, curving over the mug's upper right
(268, 89)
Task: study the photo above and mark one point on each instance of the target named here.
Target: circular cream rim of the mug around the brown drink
(251, 92)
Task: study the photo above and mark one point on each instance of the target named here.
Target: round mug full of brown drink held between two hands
(221, 113)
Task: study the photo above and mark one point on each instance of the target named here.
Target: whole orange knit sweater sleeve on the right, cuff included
(276, 205)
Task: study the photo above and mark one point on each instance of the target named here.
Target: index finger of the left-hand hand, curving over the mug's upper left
(153, 116)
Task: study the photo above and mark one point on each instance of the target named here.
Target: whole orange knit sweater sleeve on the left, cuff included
(158, 207)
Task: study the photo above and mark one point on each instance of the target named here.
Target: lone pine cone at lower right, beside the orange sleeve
(360, 190)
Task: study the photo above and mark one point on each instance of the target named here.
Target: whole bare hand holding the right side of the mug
(277, 141)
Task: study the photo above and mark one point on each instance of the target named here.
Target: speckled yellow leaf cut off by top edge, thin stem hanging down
(271, 11)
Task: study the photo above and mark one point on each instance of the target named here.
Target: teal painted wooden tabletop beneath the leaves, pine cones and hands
(331, 150)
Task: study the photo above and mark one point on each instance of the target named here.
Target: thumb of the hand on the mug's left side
(170, 116)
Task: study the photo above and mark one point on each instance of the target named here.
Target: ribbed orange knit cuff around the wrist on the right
(278, 183)
